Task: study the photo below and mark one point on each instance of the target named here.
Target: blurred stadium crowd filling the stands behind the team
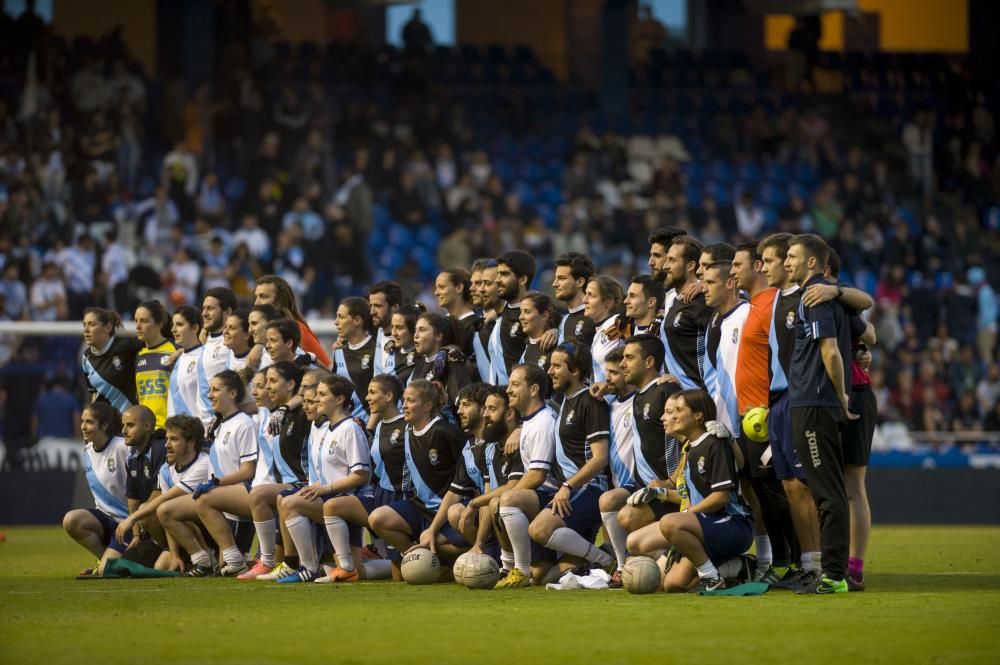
(115, 187)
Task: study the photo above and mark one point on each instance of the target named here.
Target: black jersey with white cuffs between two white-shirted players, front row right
(583, 420)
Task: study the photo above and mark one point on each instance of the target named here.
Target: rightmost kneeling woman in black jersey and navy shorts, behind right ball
(717, 525)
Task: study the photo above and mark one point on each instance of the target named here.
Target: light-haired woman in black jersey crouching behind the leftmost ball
(433, 451)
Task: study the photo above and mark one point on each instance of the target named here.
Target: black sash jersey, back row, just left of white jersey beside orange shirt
(683, 336)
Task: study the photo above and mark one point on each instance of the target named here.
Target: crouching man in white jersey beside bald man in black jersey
(186, 468)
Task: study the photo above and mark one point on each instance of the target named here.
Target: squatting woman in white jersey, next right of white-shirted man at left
(233, 458)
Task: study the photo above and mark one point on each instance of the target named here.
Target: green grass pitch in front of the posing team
(934, 597)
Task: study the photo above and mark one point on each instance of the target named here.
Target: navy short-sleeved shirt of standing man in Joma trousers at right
(808, 383)
